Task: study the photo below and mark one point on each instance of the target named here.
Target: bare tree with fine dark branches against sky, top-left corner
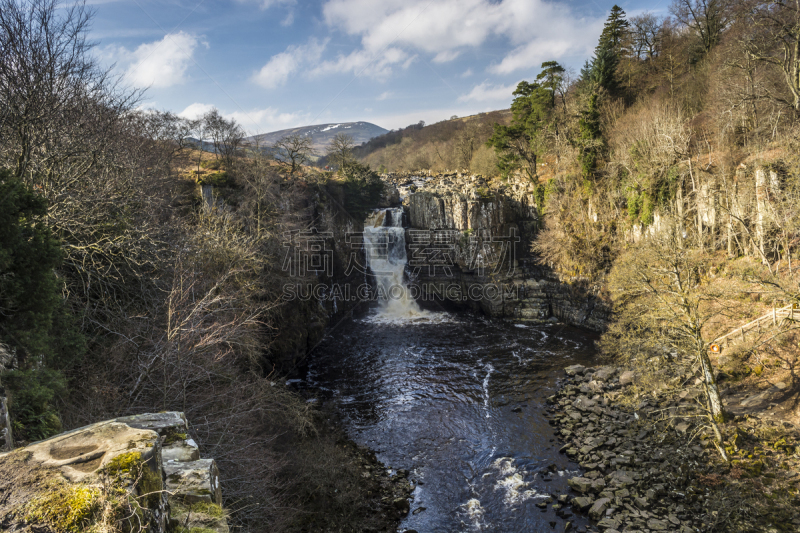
(50, 87)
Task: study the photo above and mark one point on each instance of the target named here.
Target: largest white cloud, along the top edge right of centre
(537, 30)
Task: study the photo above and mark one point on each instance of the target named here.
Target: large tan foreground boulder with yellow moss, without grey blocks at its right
(61, 481)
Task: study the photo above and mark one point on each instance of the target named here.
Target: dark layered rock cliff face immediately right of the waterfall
(469, 245)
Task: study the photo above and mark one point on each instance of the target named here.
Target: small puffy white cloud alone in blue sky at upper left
(158, 64)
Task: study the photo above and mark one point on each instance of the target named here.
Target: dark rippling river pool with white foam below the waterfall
(459, 402)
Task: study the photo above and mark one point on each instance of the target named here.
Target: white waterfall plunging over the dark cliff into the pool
(385, 247)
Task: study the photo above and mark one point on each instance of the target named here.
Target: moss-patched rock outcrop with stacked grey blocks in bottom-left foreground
(139, 473)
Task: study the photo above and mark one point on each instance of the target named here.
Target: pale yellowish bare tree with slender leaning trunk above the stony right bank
(664, 308)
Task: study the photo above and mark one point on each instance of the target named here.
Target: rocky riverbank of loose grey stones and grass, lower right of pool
(649, 462)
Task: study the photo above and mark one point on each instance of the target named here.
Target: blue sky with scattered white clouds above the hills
(277, 64)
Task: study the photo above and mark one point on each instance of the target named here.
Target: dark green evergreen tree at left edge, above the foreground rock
(34, 324)
